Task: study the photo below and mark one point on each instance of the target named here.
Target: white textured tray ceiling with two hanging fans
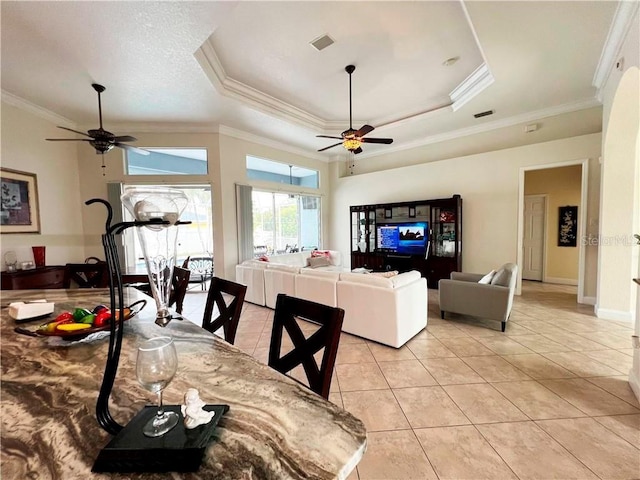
(248, 66)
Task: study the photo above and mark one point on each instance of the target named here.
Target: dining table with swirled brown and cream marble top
(275, 428)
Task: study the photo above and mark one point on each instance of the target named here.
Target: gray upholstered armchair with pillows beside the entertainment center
(464, 295)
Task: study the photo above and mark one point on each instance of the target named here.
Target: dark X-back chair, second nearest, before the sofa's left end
(228, 314)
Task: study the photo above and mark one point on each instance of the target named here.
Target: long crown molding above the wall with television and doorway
(494, 125)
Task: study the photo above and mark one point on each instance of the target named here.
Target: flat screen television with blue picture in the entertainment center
(409, 238)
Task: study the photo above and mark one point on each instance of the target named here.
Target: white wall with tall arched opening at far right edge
(620, 208)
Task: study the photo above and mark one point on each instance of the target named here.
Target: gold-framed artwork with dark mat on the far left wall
(19, 193)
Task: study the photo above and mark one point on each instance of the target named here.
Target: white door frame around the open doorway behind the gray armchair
(582, 219)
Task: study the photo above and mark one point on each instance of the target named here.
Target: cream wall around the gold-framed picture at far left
(24, 148)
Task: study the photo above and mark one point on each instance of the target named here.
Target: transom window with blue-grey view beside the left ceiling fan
(167, 161)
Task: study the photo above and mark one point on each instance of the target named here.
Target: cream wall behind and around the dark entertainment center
(487, 182)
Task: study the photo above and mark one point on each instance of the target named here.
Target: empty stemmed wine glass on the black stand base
(156, 365)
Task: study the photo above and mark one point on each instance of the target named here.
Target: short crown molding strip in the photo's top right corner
(620, 25)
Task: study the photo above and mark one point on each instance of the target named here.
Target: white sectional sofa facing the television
(389, 310)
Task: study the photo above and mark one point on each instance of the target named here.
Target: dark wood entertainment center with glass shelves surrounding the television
(437, 259)
